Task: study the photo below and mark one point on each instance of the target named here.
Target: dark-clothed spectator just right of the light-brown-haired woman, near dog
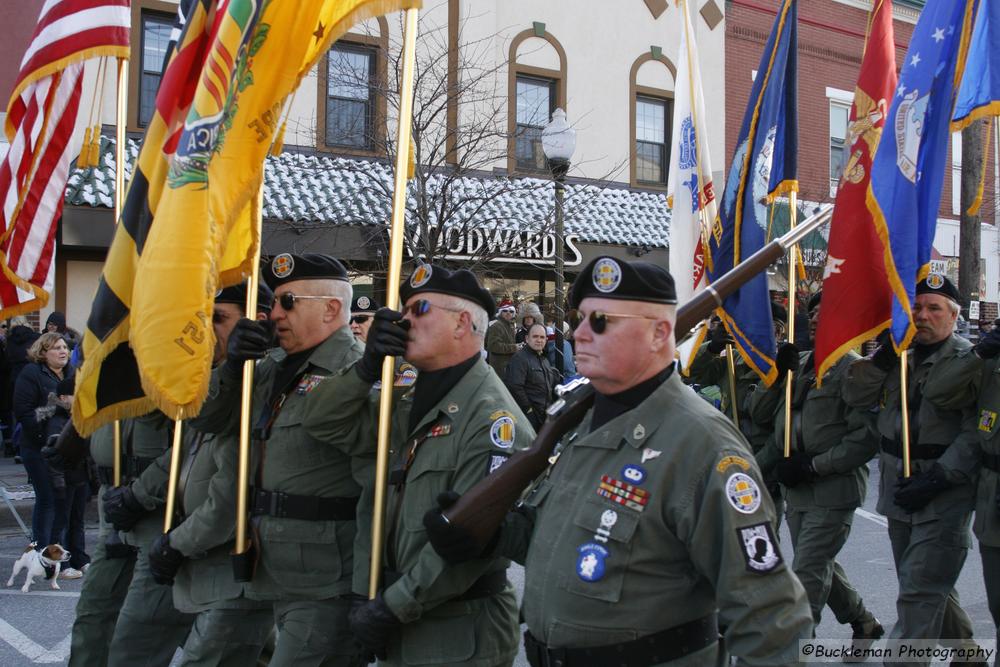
(71, 485)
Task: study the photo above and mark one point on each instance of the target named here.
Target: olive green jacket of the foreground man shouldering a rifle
(695, 535)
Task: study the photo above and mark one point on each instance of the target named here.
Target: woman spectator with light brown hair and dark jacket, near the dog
(49, 357)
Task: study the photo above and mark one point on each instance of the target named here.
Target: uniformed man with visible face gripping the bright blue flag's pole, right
(929, 513)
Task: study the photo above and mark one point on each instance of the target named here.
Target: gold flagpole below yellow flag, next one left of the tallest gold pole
(246, 405)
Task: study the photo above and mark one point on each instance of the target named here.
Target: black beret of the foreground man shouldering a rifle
(608, 278)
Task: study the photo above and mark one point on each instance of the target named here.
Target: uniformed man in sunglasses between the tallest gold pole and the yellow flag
(304, 496)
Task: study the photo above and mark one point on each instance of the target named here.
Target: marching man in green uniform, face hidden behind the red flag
(825, 478)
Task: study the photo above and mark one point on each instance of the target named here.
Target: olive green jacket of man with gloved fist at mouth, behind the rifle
(470, 432)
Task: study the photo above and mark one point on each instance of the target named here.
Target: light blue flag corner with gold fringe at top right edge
(979, 92)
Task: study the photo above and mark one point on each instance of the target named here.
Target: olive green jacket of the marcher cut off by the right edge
(952, 383)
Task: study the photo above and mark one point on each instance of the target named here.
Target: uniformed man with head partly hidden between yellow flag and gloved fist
(229, 629)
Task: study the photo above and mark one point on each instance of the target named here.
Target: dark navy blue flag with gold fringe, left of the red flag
(763, 167)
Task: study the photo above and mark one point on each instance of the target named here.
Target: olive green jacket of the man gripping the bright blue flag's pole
(869, 387)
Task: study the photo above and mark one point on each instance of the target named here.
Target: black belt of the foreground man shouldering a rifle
(665, 646)
